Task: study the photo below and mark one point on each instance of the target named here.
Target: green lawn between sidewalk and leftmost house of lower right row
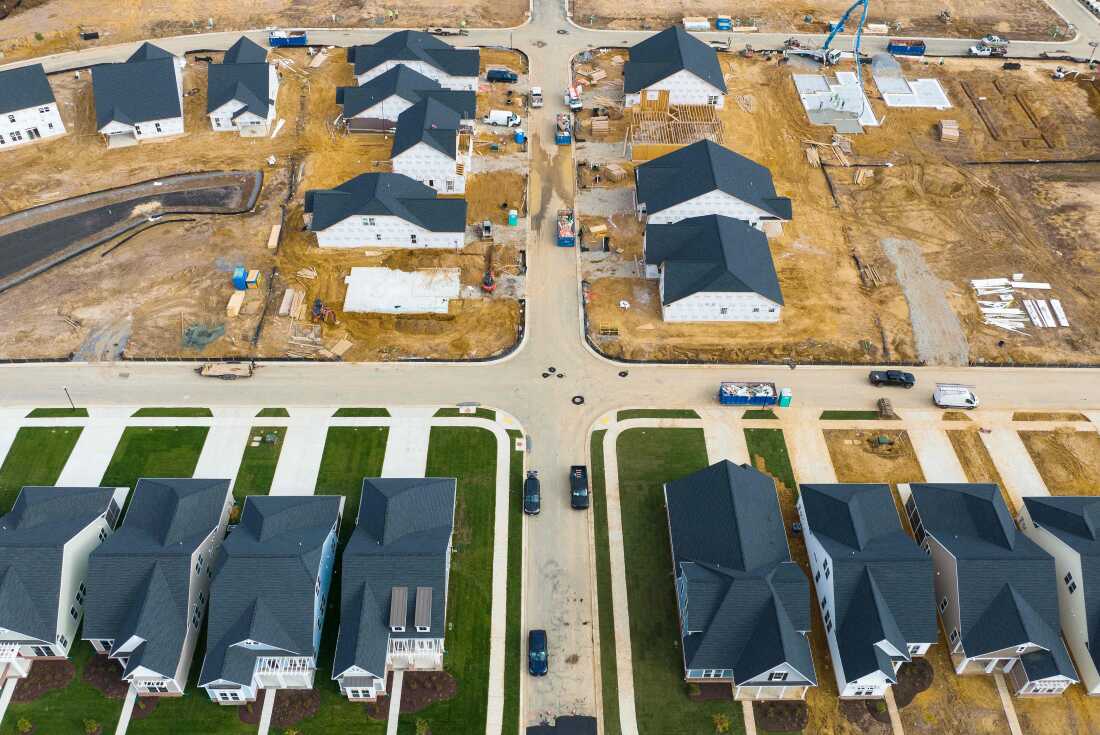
(647, 459)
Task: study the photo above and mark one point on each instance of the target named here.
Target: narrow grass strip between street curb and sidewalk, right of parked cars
(608, 660)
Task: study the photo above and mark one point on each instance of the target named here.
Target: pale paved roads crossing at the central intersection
(558, 577)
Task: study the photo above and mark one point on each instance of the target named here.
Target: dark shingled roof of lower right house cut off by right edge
(1076, 522)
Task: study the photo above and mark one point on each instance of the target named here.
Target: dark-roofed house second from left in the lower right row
(874, 585)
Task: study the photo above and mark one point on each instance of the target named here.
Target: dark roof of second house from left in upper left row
(151, 71)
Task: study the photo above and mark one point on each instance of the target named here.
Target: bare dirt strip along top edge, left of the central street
(58, 21)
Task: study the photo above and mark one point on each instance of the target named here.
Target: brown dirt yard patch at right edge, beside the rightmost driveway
(1069, 462)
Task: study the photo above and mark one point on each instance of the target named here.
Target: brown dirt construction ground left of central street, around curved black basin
(98, 308)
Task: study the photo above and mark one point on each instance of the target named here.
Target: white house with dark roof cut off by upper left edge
(28, 108)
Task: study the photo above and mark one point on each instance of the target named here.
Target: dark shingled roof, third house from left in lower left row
(263, 585)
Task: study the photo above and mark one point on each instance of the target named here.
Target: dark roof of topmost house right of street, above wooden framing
(664, 54)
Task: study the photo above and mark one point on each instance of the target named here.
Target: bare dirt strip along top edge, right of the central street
(1015, 19)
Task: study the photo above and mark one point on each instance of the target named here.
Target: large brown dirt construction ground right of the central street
(967, 222)
